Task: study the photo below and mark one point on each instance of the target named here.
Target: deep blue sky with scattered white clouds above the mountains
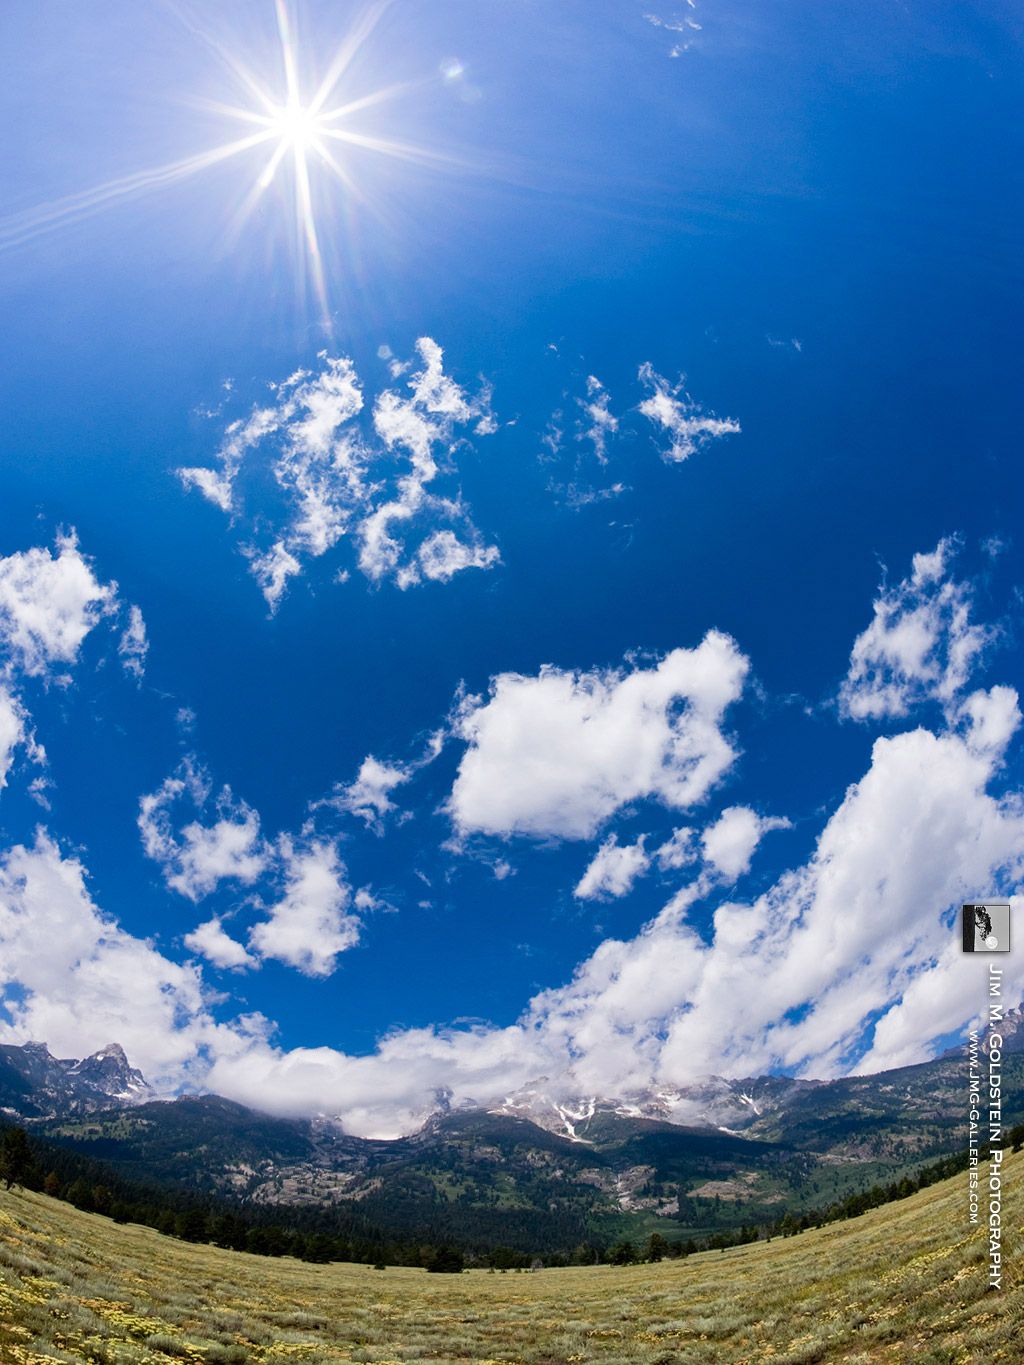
(649, 324)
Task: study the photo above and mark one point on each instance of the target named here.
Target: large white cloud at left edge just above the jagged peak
(81, 981)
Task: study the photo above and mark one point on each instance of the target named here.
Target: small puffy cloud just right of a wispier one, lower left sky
(311, 925)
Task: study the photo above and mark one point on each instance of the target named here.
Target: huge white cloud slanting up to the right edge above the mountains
(813, 960)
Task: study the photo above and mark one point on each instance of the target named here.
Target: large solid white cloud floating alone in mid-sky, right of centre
(560, 753)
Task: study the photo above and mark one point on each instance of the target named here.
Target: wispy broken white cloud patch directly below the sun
(338, 478)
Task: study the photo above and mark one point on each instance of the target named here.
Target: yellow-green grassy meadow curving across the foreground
(903, 1282)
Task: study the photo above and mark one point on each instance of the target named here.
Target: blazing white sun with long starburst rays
(297, 129)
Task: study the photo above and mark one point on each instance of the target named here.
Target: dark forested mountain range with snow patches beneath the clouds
(537, 1169)
